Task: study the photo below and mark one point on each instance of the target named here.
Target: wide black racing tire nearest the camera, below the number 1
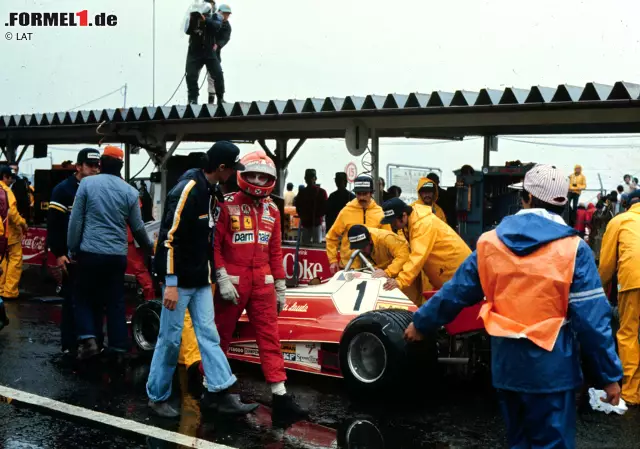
(374, 355)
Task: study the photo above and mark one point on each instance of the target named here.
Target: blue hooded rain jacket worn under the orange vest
(518, 364)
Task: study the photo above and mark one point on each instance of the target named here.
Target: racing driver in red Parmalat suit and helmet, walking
(248, 261)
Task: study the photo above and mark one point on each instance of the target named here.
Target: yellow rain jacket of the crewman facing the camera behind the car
(351, 214)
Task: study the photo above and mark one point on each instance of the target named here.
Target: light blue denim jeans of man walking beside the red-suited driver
(199, 301)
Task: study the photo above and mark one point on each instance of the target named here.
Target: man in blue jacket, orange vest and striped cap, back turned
(543, 298)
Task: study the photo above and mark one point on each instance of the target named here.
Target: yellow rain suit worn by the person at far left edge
(12, 262)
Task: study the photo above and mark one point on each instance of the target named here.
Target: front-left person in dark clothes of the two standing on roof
(202, 26)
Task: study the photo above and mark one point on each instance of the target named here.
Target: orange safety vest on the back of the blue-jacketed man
(528, 296)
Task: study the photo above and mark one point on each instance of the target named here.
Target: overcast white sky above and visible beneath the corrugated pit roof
(302, 48)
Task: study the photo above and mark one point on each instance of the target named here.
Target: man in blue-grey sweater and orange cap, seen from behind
(97, 239)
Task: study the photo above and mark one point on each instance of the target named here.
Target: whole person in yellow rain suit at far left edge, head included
(17, 226)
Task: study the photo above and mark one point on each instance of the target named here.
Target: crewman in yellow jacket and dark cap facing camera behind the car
(362, 210)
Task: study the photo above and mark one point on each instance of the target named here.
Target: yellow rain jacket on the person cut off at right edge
(620, 250)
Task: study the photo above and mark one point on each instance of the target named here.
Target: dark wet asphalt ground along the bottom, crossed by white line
(451, 412)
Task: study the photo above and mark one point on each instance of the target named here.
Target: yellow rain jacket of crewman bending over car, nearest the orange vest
(436, 249)
